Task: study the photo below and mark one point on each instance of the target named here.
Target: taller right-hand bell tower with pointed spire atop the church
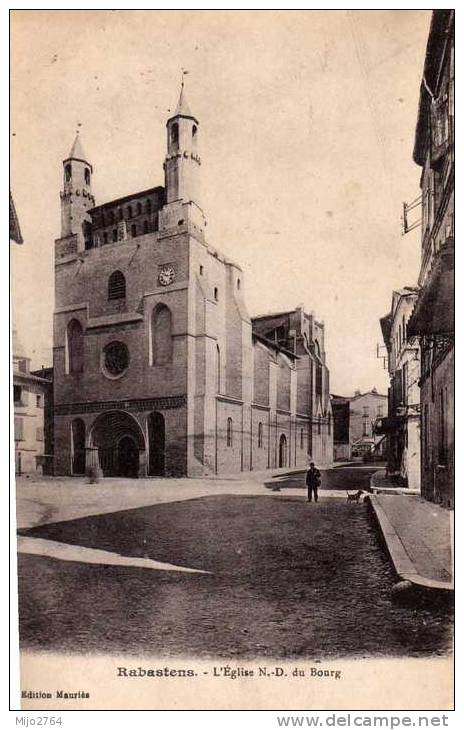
(182, 163)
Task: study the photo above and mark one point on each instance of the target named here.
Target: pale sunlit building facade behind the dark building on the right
(402, 425)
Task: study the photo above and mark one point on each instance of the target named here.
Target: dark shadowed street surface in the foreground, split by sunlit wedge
(285, 579)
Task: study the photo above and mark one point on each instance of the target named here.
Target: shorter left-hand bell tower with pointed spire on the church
(76, 196)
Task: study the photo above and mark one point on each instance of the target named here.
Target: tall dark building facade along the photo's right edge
(432, 320)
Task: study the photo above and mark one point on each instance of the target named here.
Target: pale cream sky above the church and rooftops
(307, 122)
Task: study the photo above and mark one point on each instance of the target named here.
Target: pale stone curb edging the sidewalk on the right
(402, 563)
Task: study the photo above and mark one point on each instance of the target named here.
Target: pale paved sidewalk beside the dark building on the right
(418, 536)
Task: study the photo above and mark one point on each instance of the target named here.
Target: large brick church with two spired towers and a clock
(158, 368)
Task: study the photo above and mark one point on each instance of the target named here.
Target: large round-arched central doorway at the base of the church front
(119, 440)
